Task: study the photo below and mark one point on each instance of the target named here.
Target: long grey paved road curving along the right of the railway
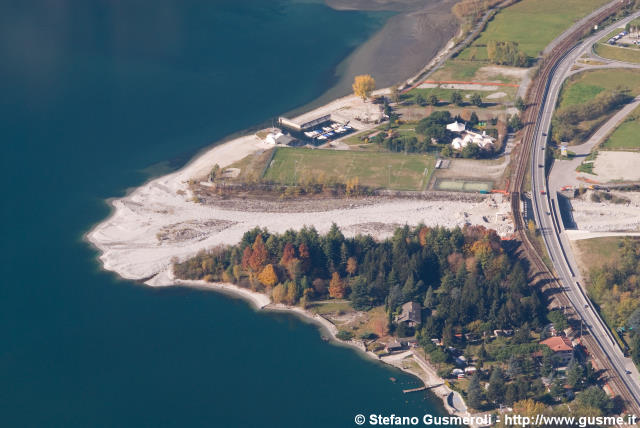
(548, 219)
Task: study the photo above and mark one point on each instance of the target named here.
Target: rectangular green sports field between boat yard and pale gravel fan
(395, 171)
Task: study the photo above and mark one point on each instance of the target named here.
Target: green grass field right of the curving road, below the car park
(585, 86)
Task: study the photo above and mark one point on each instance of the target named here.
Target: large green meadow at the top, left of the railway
(533, 24)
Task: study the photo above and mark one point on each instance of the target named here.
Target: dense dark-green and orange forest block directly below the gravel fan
(462, 275)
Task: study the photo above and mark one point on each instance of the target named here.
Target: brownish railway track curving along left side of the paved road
(535, 101)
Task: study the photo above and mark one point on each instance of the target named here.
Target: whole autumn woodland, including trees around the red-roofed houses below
(467, 281)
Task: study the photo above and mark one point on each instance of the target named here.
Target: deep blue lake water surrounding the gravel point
(97, 97)
